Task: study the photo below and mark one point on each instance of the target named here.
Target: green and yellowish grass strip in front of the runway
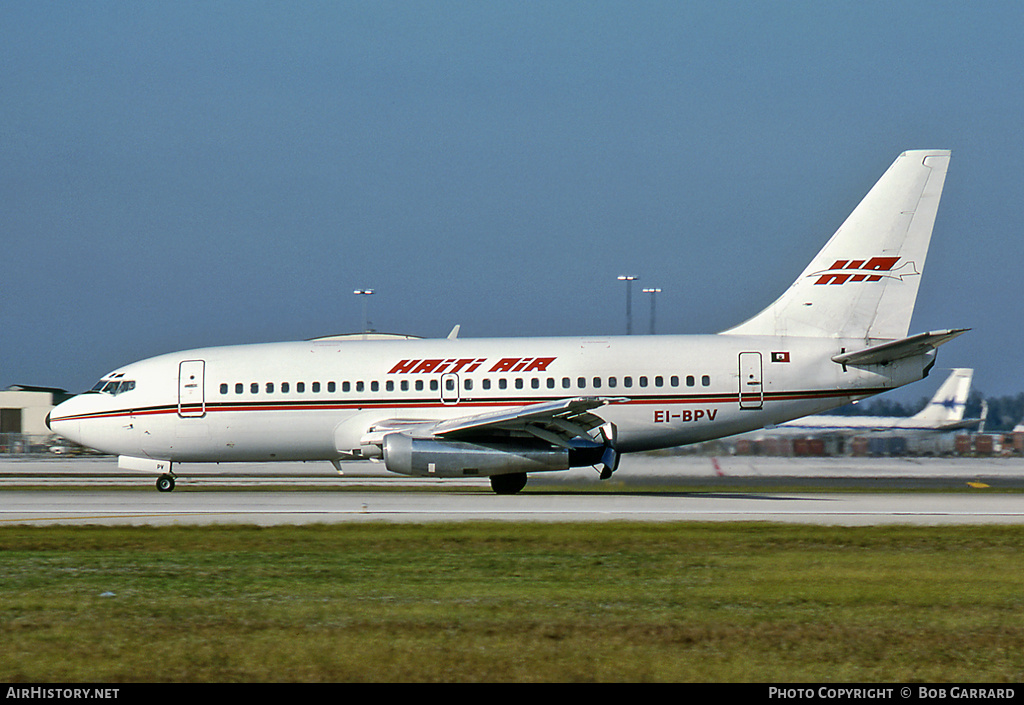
(513, 603)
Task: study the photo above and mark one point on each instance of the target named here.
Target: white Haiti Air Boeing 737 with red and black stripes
(506, 407)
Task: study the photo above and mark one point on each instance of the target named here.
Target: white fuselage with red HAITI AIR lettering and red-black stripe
(318, 400)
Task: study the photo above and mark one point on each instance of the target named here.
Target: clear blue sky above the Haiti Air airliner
(181, 175)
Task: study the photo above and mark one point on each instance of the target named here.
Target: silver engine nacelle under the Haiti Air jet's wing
(434, 458)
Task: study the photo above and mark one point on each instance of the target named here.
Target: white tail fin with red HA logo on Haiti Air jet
(865, 281)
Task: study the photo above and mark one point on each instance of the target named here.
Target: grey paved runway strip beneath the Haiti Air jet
(646, 489)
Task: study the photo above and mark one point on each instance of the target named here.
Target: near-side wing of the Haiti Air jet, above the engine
(558, 423)
